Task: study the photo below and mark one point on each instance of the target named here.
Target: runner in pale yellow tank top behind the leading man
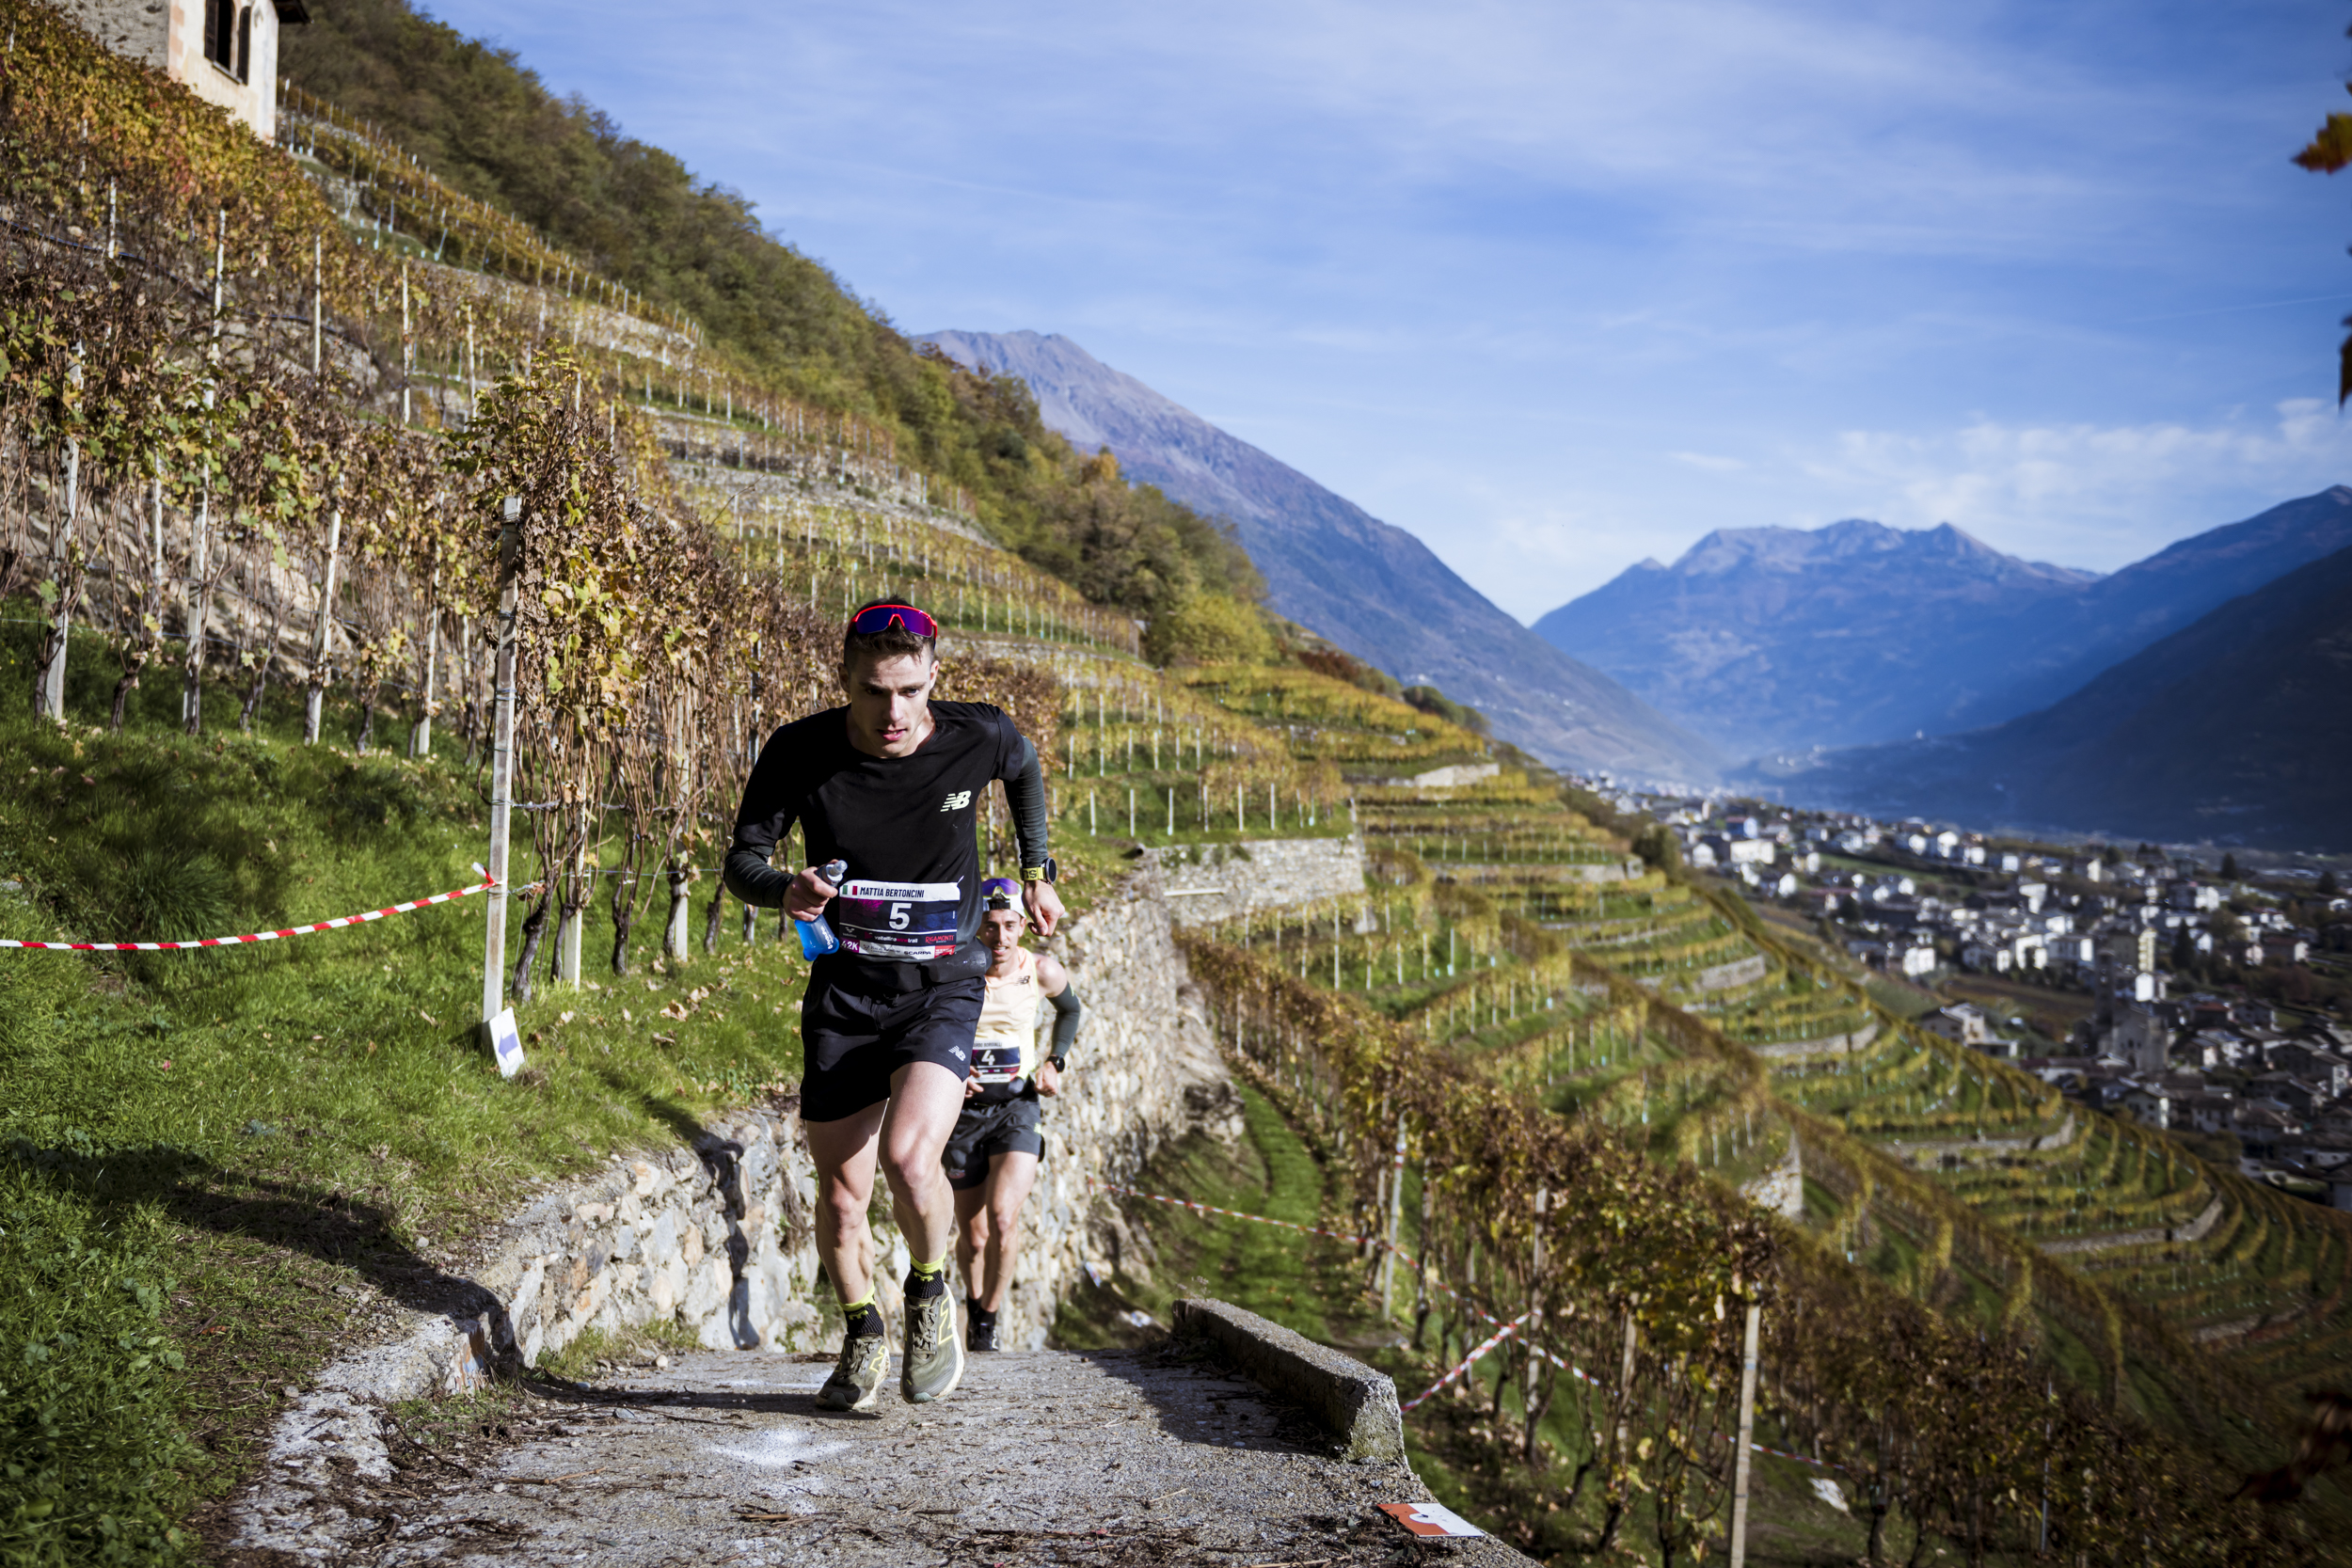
(998, 1144)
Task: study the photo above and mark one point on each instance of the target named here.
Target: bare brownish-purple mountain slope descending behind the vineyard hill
(1344, 575)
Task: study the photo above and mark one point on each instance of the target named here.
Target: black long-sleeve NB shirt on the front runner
(904, 824)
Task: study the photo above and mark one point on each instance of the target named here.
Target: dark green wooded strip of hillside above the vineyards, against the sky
(493, 130)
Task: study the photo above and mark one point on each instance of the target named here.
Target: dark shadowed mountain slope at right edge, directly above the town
(2236, 728)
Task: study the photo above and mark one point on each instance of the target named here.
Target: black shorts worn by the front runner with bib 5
(857, 1031)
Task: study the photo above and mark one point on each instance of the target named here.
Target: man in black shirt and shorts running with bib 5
(893, 786)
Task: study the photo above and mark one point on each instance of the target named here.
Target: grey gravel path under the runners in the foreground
(1111, 1461)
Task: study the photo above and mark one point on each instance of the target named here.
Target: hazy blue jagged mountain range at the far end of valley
(1784, 641)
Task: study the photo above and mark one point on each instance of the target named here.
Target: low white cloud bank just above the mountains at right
(2090, 495)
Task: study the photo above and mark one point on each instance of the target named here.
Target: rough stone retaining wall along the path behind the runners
(716, 1238)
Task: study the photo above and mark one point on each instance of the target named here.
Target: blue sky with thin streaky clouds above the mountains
(1565, 286)
